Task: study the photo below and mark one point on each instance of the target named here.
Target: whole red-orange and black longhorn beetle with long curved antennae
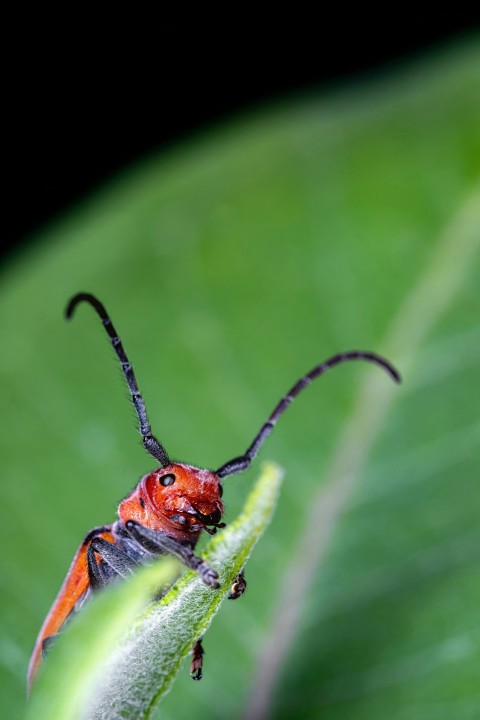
(168, 509)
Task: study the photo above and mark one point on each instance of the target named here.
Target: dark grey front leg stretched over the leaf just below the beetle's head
(158, 542)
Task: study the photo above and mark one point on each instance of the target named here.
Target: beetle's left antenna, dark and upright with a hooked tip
(150, 442)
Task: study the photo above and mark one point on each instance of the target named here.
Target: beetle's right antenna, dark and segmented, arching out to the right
(242, 462)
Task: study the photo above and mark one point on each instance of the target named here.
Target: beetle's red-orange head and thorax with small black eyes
(179, 499)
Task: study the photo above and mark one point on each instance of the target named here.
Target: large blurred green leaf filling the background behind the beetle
(232, 265)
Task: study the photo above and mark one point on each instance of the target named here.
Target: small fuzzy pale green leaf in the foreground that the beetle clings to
(97, 671)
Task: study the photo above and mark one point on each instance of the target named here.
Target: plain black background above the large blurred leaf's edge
(83, 101)
